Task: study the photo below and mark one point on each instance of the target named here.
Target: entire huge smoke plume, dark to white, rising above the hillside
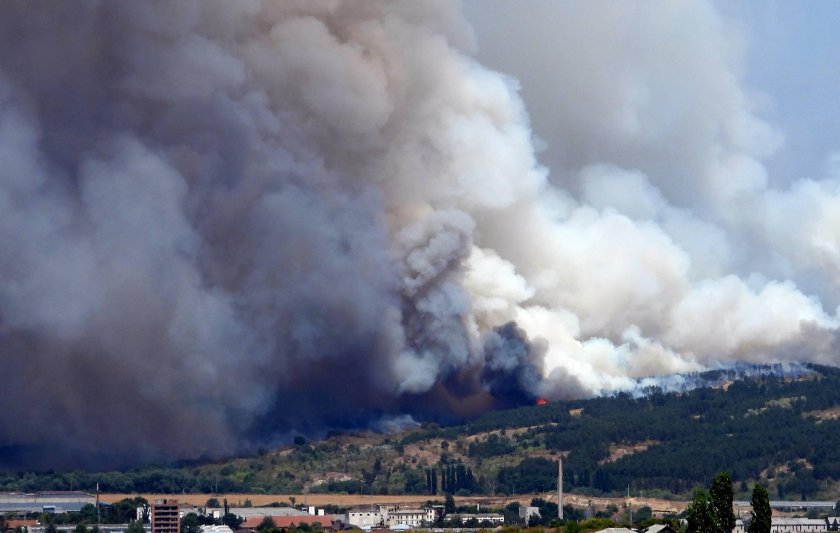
(223, 223)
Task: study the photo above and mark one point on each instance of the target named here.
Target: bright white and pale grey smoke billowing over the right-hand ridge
(676, 254)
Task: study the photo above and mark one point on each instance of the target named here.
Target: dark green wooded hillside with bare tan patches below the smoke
(781, 430)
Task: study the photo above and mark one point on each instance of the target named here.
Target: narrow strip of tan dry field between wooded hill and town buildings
(353, 500)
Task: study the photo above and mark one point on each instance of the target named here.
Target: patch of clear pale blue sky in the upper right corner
(792, 58)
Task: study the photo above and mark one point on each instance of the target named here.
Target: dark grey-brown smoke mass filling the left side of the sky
(198, 247)
